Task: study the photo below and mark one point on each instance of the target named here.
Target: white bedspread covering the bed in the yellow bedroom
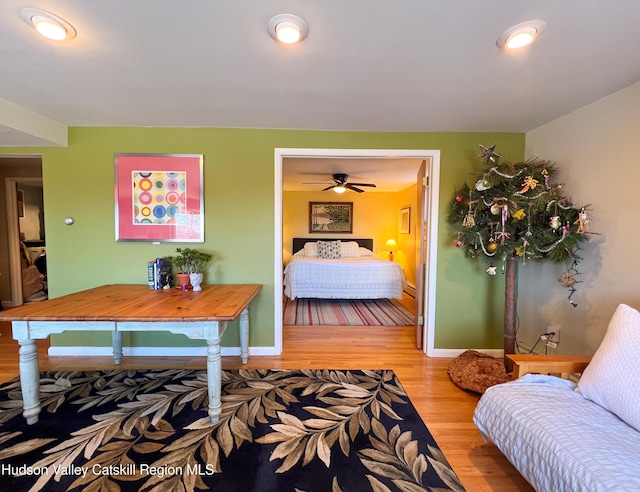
(362, 277)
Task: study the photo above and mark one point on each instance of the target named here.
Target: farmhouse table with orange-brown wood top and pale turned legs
(117, 308)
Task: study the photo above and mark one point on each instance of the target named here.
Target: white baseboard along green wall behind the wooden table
(105, 351)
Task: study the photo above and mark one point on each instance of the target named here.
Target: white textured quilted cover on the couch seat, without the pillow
(557, 439)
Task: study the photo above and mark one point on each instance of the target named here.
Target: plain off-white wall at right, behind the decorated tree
(597, 151)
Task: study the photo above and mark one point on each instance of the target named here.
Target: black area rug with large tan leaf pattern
(280, 430)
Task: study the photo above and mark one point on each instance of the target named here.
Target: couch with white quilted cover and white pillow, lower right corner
(563, 436)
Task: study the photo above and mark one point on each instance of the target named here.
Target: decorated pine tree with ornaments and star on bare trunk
(516, 212)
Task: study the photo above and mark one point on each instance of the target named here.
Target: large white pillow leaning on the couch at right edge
(612, 378)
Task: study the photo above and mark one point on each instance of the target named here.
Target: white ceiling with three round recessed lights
(366, 65)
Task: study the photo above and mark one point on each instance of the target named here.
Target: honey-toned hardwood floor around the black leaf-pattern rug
(445, 408)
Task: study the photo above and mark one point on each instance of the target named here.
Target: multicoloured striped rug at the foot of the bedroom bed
(339, 312)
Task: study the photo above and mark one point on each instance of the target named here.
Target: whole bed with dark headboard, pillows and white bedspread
(341, 269)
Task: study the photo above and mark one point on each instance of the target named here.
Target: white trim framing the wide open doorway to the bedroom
(432, 217)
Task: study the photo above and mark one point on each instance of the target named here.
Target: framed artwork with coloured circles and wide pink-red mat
(159, 197)
